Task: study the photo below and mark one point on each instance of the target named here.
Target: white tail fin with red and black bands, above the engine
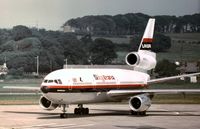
(147, 38)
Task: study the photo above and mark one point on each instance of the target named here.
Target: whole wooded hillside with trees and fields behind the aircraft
(20, 45)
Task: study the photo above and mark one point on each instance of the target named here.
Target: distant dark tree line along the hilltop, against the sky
(132, 23)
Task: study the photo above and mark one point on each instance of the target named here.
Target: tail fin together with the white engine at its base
(144, 59)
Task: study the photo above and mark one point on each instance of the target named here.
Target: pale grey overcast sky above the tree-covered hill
(52, 14)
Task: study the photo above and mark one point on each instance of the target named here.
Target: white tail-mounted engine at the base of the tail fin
(143, 59)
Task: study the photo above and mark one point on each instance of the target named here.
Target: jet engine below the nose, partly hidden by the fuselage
(47, 104)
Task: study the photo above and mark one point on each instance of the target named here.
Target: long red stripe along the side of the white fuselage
(98, 86)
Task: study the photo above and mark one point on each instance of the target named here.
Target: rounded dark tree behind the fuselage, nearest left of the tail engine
(102, 51)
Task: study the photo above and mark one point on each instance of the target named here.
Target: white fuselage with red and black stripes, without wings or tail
(76, 86)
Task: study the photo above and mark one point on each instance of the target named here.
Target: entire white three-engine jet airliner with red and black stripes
(83, 86)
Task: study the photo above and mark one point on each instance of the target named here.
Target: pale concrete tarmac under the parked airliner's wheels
(112, 116)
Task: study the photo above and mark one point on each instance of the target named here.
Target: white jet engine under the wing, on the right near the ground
(140, 103)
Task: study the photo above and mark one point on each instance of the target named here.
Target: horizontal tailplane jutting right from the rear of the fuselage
(158, 80)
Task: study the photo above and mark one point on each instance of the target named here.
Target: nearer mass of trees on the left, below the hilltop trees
(20, 46)
